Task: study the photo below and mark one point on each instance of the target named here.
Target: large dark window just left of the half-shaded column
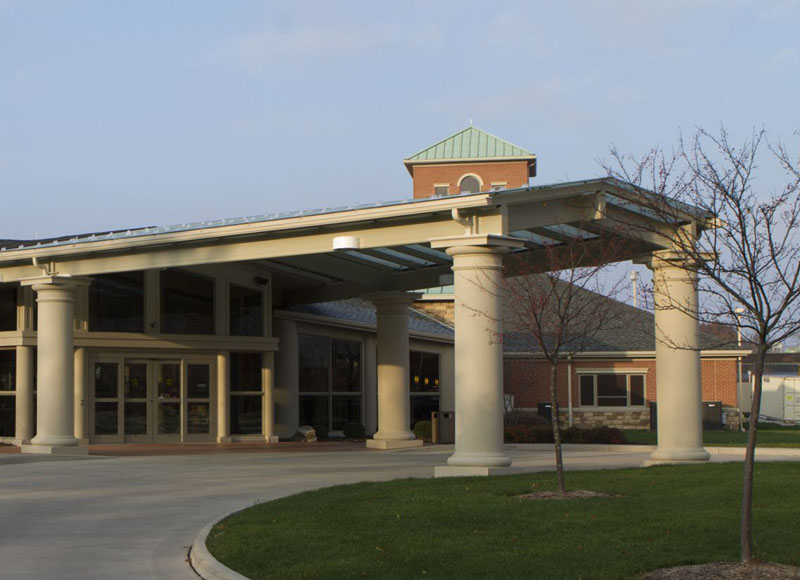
(330, 381)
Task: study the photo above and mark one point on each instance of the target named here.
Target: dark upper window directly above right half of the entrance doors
(187, 303)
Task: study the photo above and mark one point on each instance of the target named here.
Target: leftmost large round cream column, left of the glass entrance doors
(55, 430)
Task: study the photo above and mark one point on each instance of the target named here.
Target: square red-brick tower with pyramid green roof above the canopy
(468, 162)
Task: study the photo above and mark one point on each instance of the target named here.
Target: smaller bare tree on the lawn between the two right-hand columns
(561, 310)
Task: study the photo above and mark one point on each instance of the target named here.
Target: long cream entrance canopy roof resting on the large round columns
(327, 254)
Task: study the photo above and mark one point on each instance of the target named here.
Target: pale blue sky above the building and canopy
(117, 114)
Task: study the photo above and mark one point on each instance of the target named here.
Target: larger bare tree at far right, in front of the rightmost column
(741, 239)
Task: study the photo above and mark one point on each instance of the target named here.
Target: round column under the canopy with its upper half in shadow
(394, 402)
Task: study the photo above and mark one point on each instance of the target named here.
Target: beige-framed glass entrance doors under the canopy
(153, 400)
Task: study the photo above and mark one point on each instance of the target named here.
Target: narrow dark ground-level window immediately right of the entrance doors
(247, 381)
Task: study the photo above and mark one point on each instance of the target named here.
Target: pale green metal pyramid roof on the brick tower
(470, 143)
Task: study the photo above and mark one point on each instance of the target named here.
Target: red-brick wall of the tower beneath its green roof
(515, 173)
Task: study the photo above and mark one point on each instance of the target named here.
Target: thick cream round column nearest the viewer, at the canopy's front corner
(478, 357)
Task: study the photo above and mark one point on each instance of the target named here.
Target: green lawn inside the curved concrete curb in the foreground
(479, 528)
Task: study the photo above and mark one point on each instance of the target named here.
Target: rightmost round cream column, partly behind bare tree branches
(680, 421)
